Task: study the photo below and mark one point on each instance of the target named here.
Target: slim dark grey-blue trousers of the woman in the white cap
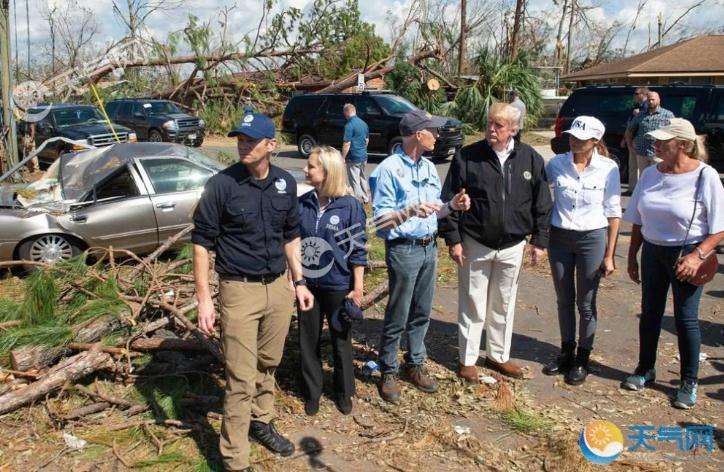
(575, 258)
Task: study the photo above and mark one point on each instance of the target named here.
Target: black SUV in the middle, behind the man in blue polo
(318, 119)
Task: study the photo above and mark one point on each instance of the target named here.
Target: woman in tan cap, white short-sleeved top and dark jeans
(677, 213)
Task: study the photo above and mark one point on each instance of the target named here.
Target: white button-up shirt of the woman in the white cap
(585, 201)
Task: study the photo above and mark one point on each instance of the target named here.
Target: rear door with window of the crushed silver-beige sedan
(176, 186)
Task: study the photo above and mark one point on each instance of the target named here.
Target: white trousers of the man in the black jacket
(488, 287)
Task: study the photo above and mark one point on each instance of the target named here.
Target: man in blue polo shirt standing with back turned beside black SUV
(354, 152)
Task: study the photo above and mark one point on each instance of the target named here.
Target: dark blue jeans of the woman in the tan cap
(657, 273)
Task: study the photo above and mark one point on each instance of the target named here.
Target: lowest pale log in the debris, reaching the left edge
(69, 370)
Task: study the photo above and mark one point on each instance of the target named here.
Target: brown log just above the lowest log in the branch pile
(39, 357)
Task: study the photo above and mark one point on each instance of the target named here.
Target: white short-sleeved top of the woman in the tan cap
(663, 204)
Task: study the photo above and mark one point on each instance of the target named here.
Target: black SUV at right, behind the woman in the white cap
(703, 105)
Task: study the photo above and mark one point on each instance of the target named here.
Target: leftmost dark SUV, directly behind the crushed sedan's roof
(83, 123)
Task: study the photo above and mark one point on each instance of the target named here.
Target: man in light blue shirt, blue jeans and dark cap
(406, 205)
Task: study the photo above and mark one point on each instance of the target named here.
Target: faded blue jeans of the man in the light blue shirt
(412, 272)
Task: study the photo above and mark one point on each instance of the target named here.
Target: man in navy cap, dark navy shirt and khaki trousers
(248, 215)
